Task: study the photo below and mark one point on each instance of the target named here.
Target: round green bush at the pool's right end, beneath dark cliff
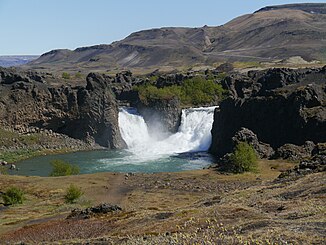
(244, 158)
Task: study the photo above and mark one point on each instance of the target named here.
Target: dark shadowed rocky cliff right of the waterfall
(279, 105)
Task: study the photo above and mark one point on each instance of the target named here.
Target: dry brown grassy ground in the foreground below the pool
(191, 207)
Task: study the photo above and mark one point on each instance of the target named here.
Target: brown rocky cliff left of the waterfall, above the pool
(89, 113)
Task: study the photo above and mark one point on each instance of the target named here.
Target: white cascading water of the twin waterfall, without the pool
(193, 134)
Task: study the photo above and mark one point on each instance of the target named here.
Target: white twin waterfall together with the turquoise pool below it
(146, 153)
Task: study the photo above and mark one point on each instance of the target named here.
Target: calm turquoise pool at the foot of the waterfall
(114, 161)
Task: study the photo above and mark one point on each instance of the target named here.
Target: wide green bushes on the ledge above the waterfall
(194, 91)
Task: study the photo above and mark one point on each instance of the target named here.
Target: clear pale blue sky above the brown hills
(33, 27)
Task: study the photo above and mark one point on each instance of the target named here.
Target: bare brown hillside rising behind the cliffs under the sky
(269, 34)
